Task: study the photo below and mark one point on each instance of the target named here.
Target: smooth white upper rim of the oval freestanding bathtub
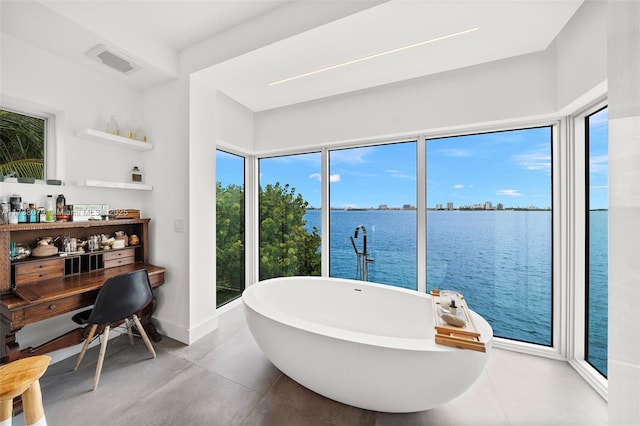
(251, 301)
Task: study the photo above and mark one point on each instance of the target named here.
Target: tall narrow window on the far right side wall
(597, 238)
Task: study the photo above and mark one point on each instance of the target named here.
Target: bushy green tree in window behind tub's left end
(286, 247)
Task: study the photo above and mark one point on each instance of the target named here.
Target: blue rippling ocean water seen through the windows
(500, 261)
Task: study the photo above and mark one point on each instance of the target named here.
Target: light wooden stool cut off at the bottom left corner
(21, 377)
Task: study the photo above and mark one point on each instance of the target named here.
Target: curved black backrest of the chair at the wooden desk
(121, 296)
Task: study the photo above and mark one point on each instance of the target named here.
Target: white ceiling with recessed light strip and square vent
(154, 32)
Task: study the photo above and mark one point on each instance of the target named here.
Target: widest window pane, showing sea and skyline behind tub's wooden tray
(489, 233)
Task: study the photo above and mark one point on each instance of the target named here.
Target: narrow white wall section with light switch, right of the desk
(166, 110)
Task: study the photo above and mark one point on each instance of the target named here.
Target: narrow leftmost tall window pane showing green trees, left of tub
(230, 242)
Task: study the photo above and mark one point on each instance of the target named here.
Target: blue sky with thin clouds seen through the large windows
(511, 167)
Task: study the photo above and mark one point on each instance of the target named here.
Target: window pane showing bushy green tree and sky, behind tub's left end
(290, 188)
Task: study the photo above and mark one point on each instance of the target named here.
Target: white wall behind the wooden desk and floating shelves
(81, 98)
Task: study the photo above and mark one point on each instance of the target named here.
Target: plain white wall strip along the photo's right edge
(624, 211)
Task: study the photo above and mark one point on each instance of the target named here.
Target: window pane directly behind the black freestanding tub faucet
(373, 200)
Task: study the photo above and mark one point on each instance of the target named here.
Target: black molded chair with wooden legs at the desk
(119, 299)
